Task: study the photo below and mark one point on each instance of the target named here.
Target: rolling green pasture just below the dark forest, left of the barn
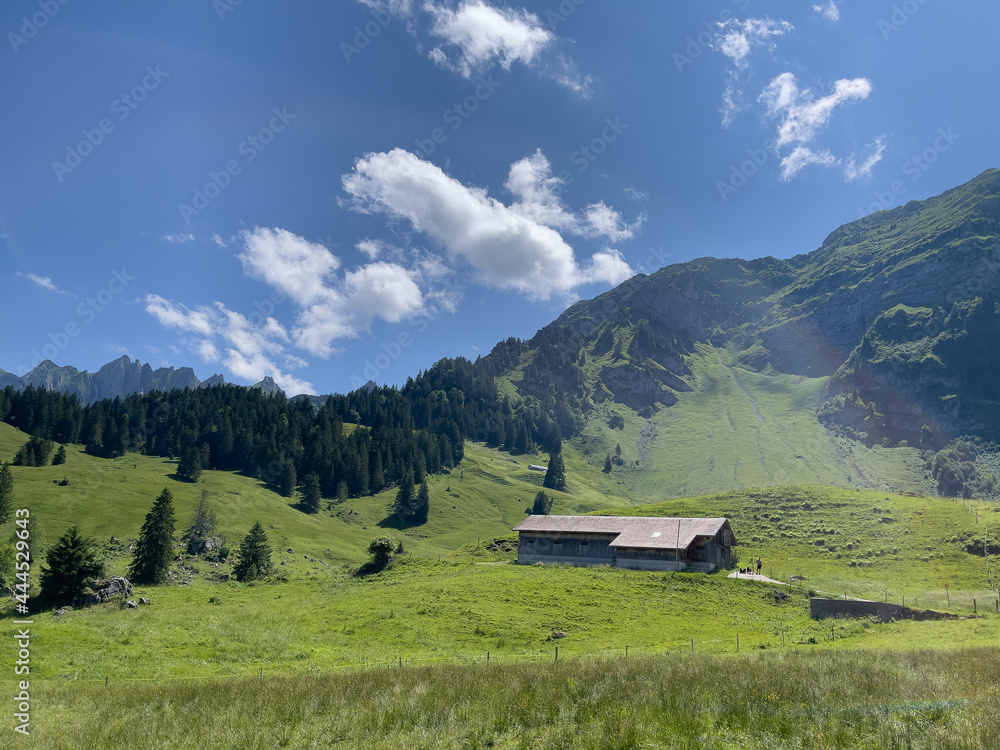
(485, 498)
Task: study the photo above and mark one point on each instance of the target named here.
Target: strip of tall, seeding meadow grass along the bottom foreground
(788, 699)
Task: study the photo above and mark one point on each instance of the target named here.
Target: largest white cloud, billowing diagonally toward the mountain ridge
(512, 247)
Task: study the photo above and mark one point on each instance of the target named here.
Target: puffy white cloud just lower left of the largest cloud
(331, 307)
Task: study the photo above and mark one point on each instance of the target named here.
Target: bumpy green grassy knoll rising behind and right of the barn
(868, 544)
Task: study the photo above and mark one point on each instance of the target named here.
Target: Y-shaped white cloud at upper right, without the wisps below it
(802, 115)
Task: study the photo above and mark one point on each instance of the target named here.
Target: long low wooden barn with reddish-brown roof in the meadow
(694, 544)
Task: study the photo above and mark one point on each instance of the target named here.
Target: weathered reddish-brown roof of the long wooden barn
(632, 531)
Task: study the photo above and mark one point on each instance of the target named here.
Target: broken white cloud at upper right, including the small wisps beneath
(802, 116)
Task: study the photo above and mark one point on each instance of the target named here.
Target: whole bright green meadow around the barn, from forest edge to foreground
(324, 644)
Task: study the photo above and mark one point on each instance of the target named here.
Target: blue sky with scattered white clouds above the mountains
(327, 192)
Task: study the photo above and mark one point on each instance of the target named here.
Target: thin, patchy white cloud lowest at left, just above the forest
(248, 347)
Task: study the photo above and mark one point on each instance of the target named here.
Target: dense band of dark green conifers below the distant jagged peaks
(418, 429)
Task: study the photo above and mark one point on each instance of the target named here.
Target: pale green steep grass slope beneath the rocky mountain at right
(735, 429)
